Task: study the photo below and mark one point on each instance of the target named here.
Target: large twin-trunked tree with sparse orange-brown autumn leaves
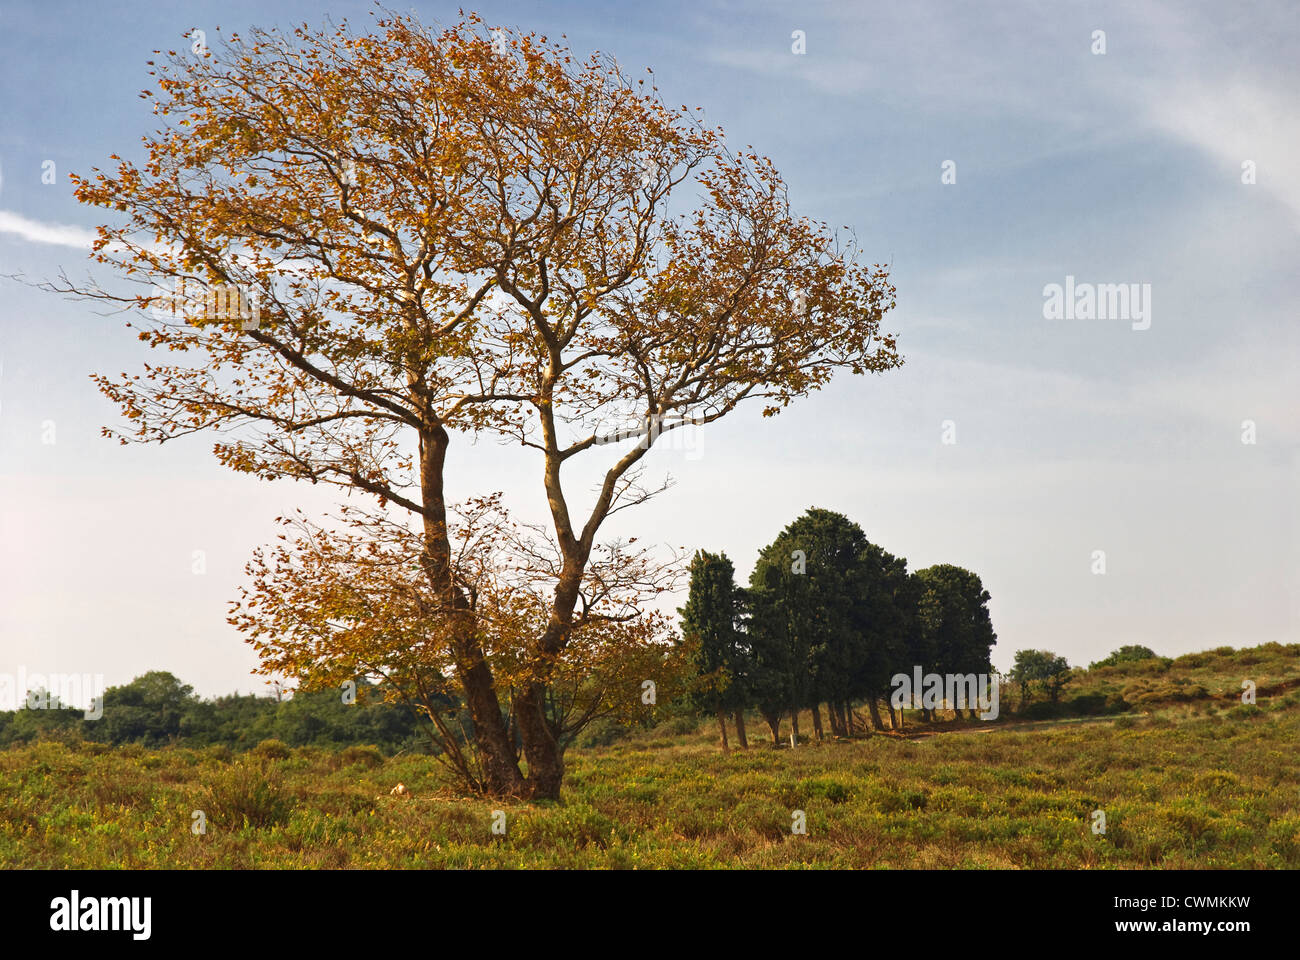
(408, 237)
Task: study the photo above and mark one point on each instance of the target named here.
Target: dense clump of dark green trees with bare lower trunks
(827, 620)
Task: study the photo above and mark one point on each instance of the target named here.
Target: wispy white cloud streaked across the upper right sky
(1172, 71)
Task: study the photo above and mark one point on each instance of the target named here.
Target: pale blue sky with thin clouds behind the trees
(983, 154)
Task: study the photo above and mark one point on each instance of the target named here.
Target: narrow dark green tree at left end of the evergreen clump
(712, 620)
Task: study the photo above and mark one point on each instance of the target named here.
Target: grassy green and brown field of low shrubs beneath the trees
(1185, 782)
